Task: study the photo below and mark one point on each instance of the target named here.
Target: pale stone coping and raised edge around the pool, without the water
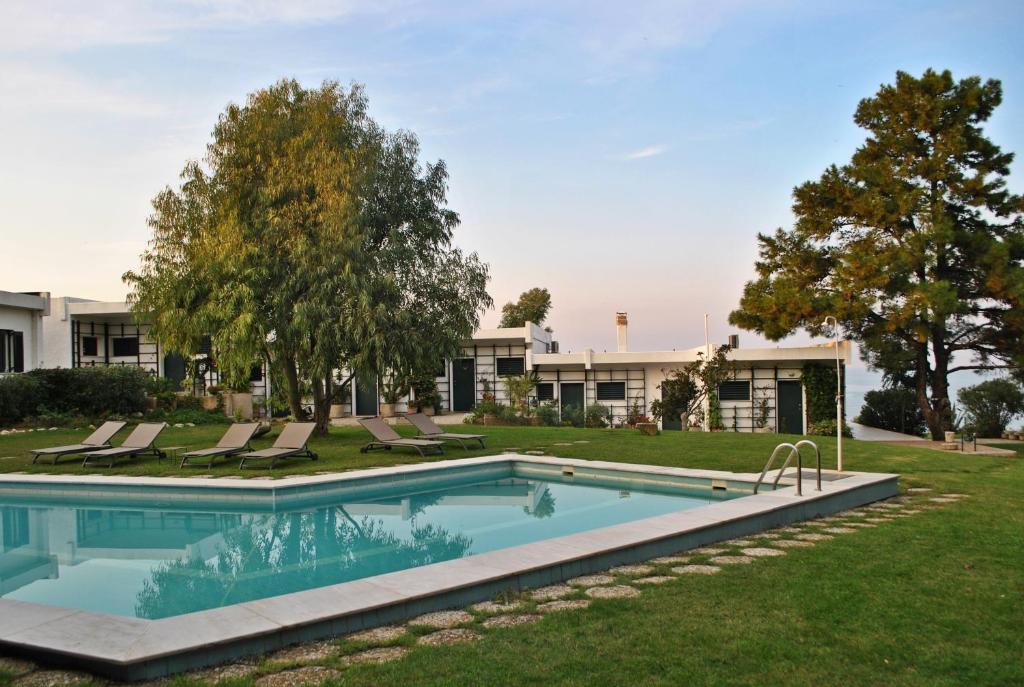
(135, 649)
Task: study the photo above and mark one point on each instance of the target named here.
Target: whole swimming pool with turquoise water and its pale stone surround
(138, 578)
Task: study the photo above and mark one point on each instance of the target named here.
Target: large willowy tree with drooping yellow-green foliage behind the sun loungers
(314, 238)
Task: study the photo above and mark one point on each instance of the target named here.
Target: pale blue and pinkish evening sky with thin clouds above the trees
(623, 155)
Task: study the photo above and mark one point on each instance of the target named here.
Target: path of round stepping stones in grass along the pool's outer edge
(314, 663)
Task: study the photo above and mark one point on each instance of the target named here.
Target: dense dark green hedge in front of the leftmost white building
(94, 393)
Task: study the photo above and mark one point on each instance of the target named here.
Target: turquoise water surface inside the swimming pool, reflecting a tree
(152, 564)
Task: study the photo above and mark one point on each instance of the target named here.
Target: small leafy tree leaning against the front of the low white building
(685, 391)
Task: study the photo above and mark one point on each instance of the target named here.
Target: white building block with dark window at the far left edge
(22, 331)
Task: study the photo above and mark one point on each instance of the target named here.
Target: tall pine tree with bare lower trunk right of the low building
(916, 246)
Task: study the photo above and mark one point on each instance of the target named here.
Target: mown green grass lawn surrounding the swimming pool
(932, 599)
